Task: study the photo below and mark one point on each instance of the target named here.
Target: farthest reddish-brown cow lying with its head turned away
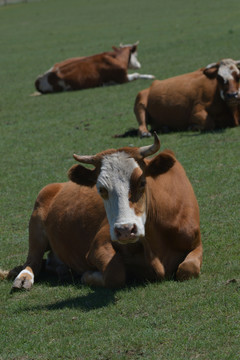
(79, 73)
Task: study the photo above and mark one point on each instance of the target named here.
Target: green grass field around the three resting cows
(198, 319)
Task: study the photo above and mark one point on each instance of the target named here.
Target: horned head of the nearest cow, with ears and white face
(121, 180)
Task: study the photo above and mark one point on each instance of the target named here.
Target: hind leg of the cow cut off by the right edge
(140, 112)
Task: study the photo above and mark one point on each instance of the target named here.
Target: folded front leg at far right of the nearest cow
(190, 267)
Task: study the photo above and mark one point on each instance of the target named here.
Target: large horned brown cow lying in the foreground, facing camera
(129, 215)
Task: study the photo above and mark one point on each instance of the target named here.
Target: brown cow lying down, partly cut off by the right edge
(205, 99)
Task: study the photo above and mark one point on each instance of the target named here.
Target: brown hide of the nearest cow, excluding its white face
(70, 220)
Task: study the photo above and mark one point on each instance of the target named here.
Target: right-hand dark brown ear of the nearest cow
(160, 164)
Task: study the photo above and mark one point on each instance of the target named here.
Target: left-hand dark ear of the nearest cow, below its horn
(83, 176)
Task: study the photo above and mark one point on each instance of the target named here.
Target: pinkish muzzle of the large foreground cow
(126, 233)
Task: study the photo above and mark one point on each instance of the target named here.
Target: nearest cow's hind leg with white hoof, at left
(38, 244)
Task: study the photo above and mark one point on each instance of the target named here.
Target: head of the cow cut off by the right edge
(227, 73)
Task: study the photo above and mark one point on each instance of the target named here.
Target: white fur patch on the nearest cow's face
(115, 177)
